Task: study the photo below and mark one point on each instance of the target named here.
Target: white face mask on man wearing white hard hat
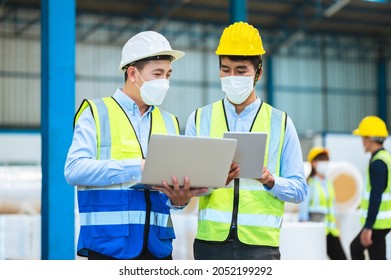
(153, 92)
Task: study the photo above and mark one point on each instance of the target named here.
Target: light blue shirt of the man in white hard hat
(81, 166)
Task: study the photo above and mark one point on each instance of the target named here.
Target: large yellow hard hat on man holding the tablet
(240, 38)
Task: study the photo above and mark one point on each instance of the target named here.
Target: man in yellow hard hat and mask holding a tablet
(244, 220)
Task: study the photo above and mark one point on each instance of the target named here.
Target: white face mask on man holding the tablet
(237, 88)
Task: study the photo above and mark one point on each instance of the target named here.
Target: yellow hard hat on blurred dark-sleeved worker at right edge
(371, 126)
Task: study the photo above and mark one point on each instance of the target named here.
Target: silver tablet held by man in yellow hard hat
(250, 152)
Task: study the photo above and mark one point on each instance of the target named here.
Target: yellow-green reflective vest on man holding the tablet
(258, 222)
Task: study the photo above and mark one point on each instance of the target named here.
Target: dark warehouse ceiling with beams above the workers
(283, 20)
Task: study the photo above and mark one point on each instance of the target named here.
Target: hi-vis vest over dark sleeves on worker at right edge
(383, 218)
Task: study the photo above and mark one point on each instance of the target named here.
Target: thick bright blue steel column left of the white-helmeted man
(57, 111)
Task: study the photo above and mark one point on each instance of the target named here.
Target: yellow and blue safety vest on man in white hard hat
(102, 210)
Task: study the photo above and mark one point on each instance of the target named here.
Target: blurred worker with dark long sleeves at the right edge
(375, 207)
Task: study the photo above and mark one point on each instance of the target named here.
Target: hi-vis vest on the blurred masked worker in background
(324, 203)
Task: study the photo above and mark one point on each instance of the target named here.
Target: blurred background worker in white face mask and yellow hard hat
(320, 204)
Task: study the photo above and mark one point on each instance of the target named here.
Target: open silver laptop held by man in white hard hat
(206, 161)
